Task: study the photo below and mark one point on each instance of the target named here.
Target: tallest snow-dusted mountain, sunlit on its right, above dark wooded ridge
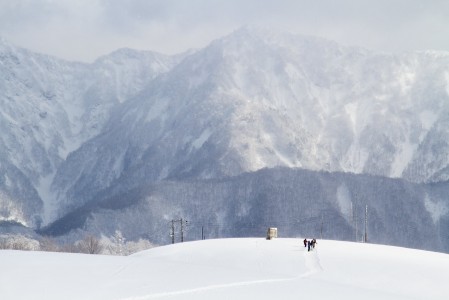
(254, 100)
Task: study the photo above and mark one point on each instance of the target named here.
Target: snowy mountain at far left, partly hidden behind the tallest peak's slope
(49, 108)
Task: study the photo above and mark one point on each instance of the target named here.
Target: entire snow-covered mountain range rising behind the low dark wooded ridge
(76, 133)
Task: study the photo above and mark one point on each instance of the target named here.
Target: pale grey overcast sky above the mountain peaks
(85, 29)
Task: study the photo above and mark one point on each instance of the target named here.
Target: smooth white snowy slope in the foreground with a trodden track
(230, 269)
